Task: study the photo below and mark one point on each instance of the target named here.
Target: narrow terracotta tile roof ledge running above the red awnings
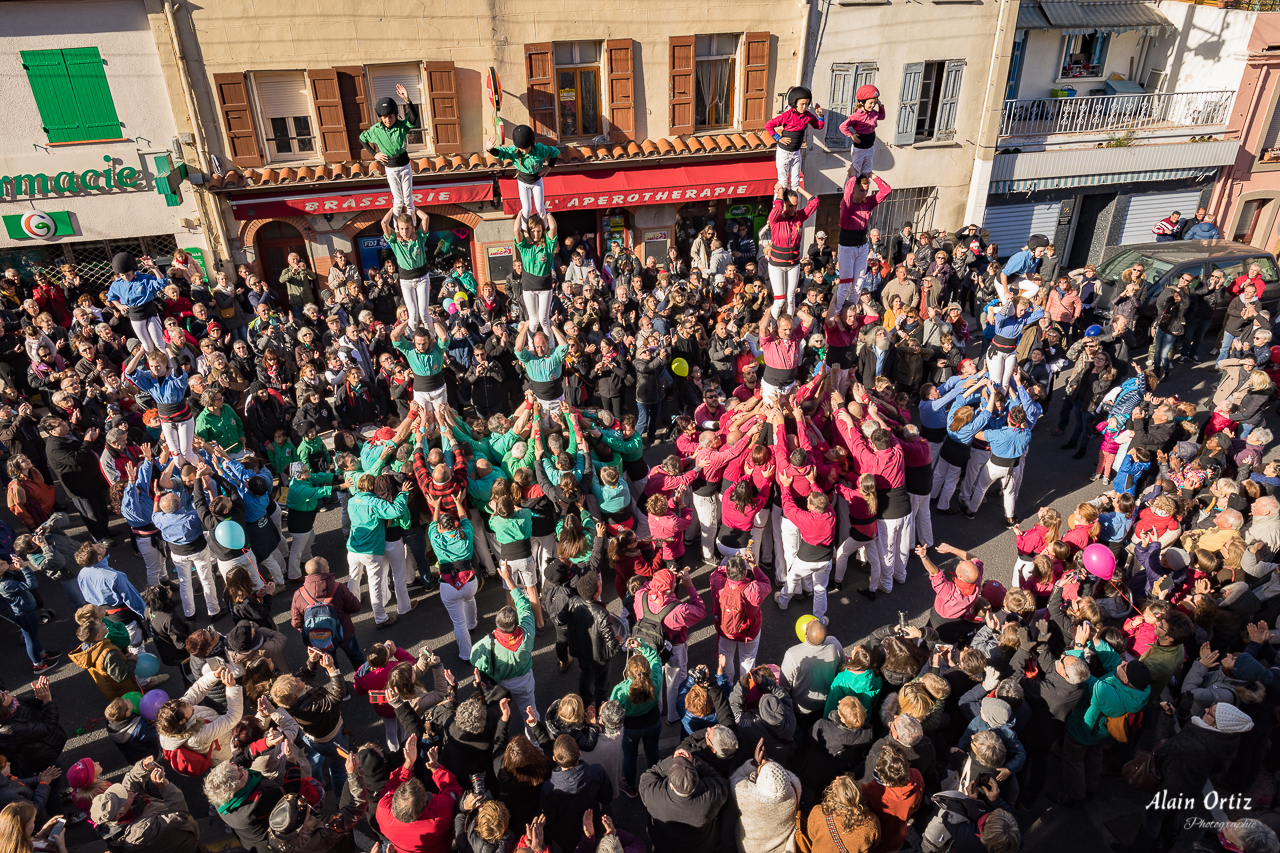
(661, 149)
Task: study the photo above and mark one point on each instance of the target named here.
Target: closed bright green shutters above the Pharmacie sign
(72, 95)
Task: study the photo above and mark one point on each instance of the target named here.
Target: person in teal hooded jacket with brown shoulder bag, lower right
(1126, 691)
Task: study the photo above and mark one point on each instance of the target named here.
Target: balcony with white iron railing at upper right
(1116, 115)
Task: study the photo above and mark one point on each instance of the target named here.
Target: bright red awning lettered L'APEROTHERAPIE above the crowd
(659, 185)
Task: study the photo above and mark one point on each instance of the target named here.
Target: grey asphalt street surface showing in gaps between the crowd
(1053, 478)
